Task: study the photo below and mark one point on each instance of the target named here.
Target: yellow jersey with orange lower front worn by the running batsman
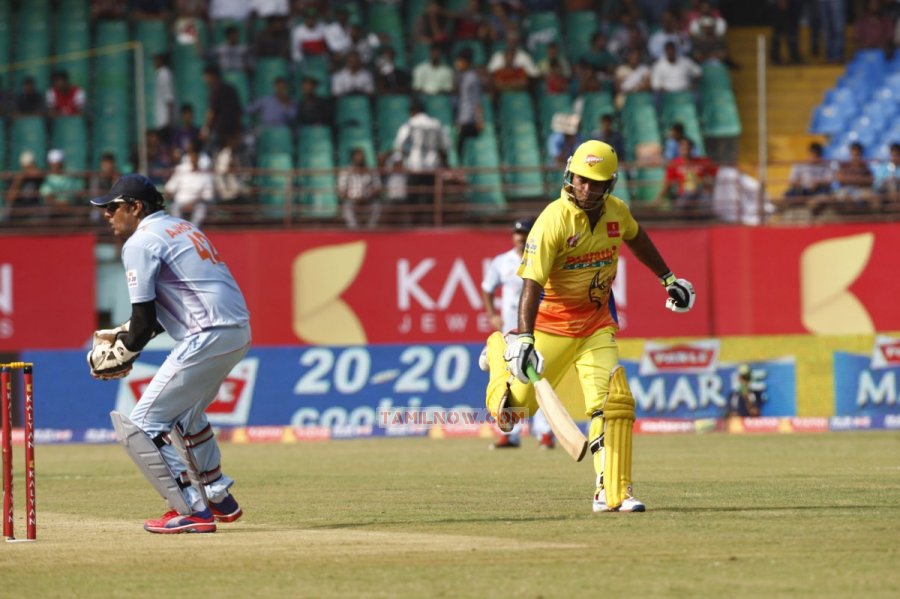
(576, 266)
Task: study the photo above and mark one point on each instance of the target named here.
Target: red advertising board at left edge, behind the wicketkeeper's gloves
(46, 292)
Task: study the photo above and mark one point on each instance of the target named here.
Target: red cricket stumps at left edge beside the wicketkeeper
(6, 395)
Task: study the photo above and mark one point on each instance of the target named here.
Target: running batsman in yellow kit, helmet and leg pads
(567, 315)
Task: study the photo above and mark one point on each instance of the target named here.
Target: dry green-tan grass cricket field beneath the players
(728, 516)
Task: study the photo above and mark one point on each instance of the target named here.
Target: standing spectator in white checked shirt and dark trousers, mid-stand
(424, 144)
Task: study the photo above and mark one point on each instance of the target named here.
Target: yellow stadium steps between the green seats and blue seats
(792, 92)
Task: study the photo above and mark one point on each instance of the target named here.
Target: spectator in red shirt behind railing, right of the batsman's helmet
(689, 182)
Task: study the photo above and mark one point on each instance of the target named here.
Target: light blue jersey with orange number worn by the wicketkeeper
(172, 262)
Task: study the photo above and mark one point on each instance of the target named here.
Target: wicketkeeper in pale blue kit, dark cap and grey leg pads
(177, 282)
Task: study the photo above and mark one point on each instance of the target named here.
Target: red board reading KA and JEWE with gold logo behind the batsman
(420, 286)
